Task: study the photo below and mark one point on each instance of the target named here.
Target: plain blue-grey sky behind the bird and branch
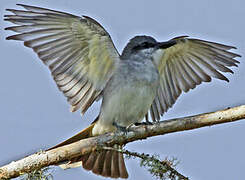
(35, 115)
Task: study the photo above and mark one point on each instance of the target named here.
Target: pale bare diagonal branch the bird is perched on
(64, 153)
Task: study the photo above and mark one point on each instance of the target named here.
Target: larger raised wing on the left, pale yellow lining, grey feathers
(78, 51)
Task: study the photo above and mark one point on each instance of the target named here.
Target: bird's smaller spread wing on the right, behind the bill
(187, 64)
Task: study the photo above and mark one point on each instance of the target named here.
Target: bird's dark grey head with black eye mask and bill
(143, 47)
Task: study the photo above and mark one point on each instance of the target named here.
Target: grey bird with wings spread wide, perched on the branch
(146, 78)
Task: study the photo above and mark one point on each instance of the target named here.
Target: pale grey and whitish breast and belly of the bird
(128, 96)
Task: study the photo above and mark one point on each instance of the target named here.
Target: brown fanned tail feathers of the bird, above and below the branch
(107, 163)
